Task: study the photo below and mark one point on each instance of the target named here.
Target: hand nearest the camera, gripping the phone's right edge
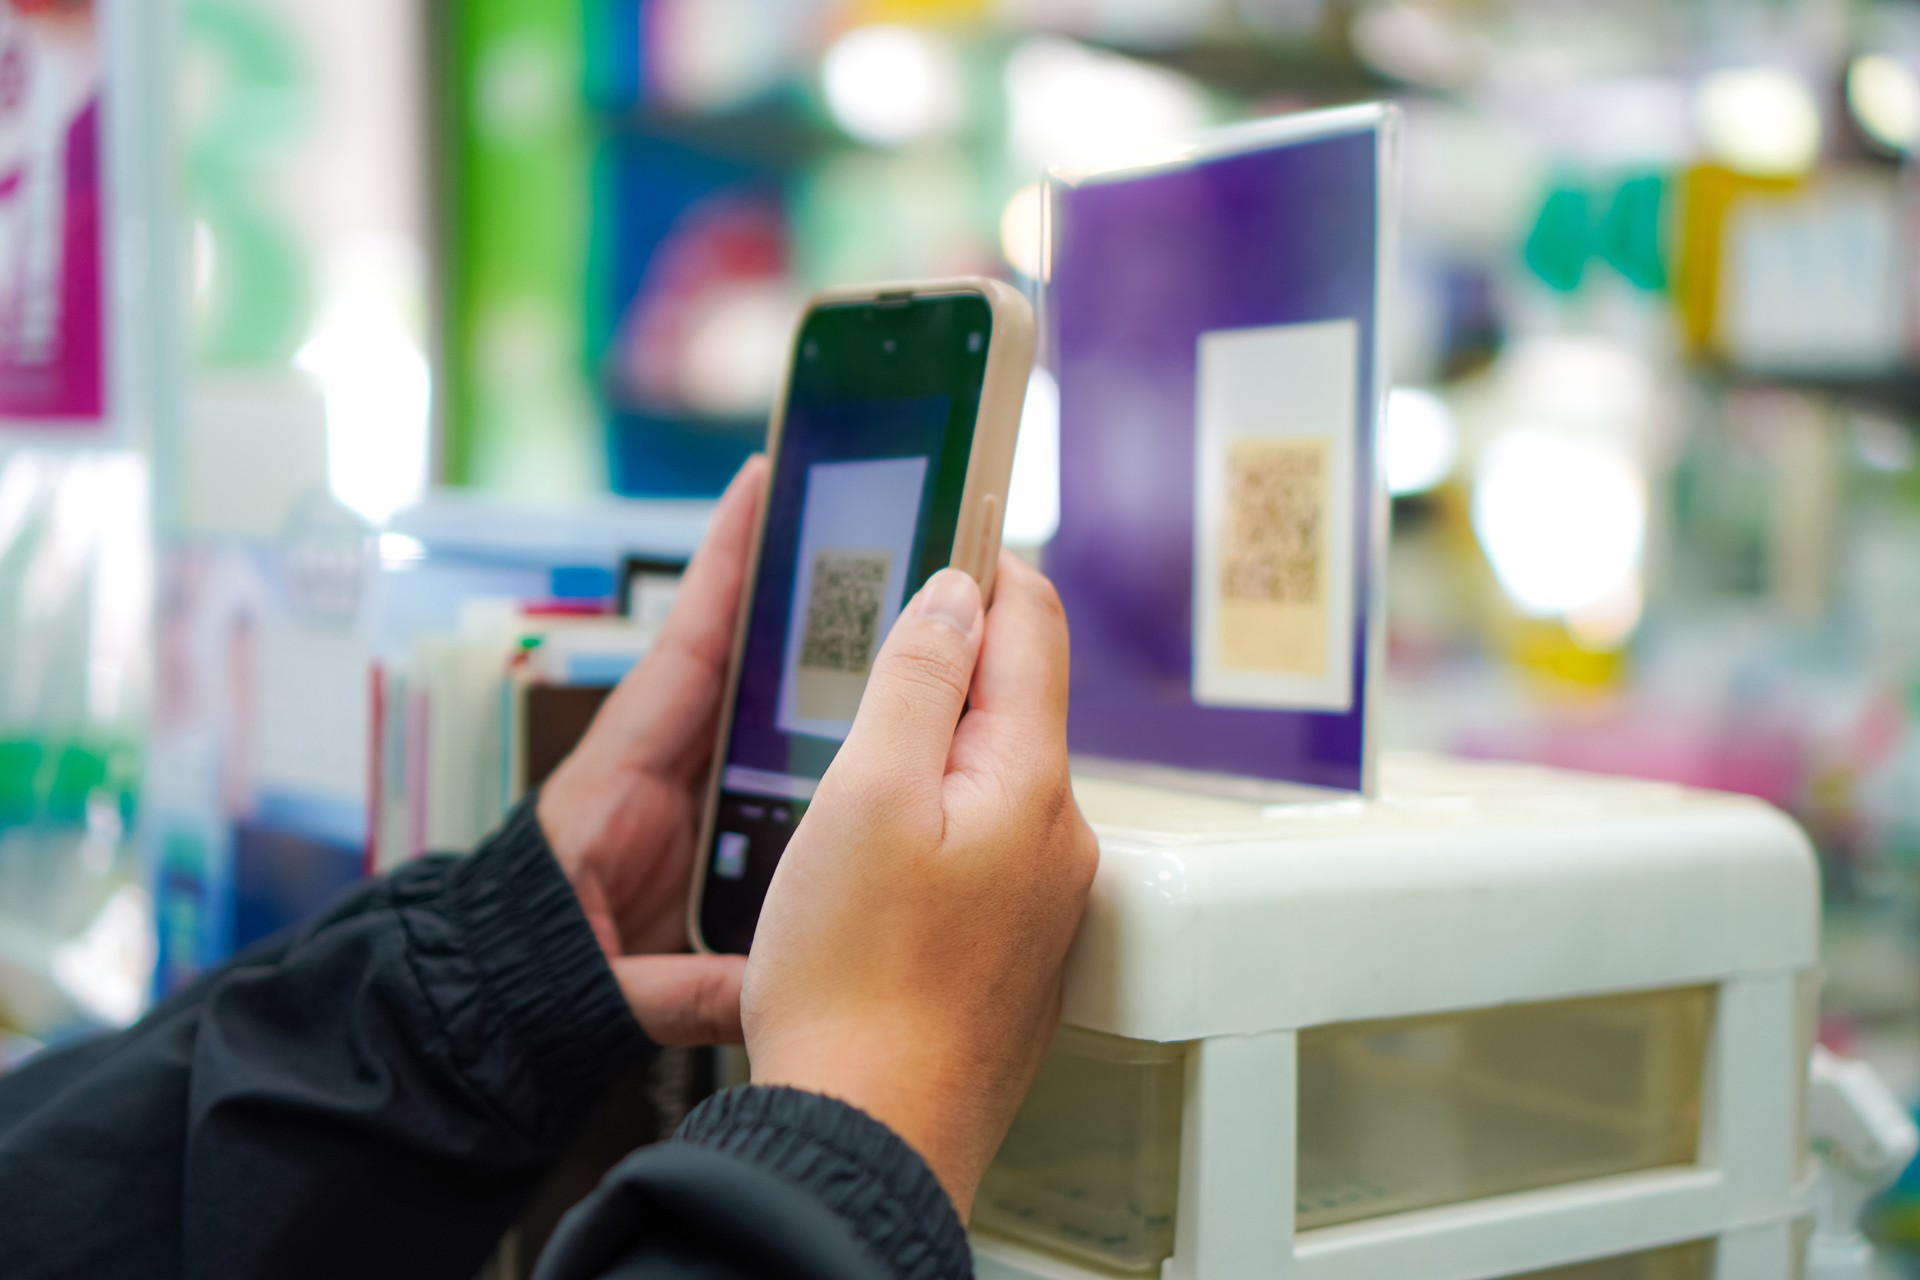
(911, 953)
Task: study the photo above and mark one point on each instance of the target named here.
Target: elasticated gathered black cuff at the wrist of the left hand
(539, 1020)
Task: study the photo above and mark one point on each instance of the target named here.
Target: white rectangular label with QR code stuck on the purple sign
(1274, 517)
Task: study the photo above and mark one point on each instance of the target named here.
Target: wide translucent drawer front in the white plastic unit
(1410, 1114)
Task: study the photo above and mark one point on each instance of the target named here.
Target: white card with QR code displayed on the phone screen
(857, 540)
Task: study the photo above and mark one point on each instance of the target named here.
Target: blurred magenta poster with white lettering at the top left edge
(53, 306)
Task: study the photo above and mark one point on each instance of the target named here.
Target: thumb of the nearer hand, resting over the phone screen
(921, 682)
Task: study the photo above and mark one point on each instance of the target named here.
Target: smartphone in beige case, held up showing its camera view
(892, 448)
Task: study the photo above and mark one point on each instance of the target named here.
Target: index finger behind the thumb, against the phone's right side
(1024, 657)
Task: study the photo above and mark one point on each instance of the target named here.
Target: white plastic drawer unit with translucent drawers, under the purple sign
(1500, 1024)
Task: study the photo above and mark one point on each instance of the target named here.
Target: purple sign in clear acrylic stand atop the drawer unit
(1218, 337)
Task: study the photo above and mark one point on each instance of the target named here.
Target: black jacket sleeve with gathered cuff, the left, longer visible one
(377, 1099)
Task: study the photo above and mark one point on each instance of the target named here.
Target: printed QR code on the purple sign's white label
(1276, 521)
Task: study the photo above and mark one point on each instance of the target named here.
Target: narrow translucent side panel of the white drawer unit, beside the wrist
(1092, 1164)
